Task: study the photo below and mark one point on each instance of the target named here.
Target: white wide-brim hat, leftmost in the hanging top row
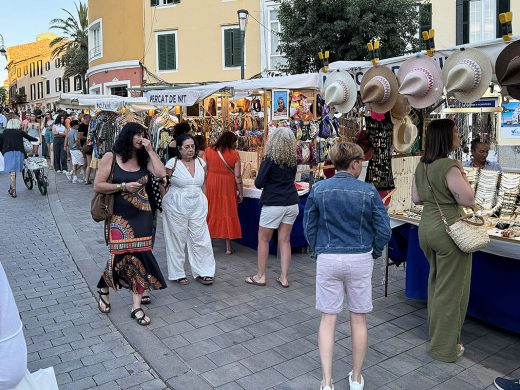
(340, 91)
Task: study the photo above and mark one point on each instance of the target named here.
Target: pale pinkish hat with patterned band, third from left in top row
(420, 80)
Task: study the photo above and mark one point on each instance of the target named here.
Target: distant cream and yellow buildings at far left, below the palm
(35, 79)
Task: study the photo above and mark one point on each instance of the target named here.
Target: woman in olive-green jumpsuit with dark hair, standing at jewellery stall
(450, 268)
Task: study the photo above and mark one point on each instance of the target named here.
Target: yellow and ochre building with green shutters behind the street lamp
(143, 42)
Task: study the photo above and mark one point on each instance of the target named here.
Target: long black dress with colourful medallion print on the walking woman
(132, 264)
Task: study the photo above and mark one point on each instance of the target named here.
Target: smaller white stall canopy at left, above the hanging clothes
(103, 102)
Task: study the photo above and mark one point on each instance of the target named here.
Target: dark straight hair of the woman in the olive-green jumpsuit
(439, 140)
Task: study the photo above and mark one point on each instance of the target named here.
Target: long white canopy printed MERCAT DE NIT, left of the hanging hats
(191, 95)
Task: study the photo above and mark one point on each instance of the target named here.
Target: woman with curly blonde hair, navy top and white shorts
(279, 201)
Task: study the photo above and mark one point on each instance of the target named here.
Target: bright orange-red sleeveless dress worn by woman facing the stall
(221, 191)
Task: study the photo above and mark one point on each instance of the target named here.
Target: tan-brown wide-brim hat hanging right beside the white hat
(379, 88)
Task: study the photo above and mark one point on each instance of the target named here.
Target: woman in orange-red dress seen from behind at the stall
(224, 189)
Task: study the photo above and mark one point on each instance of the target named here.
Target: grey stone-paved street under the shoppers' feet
(226, 336)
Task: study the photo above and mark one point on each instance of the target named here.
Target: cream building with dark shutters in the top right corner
(459, 22)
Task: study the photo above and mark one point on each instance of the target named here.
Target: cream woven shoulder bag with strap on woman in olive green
(468, 232)
